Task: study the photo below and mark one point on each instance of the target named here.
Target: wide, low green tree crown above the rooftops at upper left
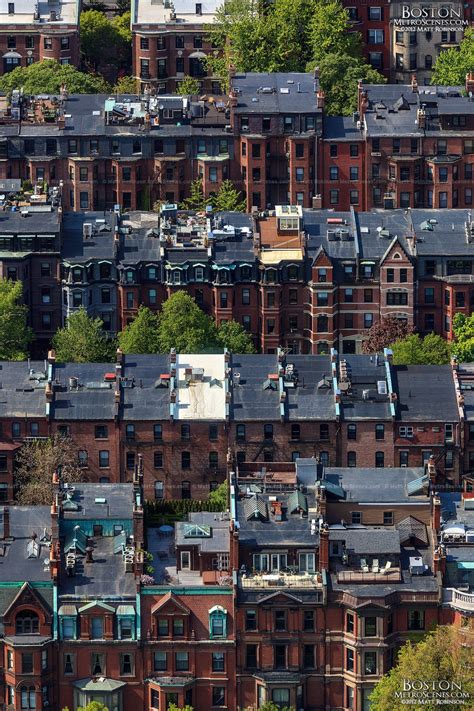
(47, 76)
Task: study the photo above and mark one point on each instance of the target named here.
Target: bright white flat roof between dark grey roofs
(201, 399)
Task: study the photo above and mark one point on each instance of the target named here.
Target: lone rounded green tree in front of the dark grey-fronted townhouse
(83, 340)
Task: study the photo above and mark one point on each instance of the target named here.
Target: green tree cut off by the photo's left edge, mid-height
(15, 335)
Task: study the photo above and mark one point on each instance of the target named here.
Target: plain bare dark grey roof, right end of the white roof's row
(421, 389)
